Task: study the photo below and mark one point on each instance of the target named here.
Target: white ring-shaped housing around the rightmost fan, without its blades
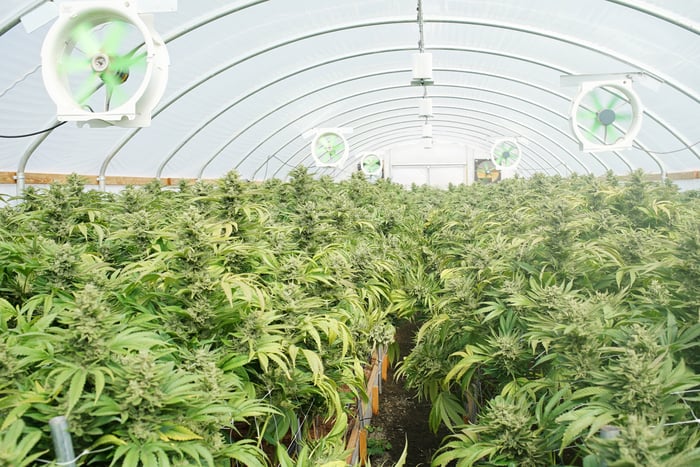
(623, 84)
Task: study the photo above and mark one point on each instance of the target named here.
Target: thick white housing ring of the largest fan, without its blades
(136, 111)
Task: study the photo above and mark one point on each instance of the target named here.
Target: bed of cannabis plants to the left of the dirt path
(221, 323)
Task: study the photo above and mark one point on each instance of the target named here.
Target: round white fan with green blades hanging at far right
(606, 115)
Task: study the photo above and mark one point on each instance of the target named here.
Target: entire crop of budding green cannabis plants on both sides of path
(228, 323)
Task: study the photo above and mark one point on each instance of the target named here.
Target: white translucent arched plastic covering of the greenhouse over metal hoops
(248, 79)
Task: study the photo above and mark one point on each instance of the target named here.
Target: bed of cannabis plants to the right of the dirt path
(556, 309)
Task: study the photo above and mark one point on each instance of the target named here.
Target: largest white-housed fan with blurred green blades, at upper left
(103, 63)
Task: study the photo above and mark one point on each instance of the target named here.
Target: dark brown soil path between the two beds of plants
(402, 417)
